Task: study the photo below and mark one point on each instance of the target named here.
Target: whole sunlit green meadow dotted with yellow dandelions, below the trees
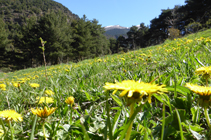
(75, 100)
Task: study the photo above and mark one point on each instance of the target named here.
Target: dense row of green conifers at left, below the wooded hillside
(75, 41)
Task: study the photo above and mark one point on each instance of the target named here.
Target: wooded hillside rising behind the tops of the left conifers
(16, 11)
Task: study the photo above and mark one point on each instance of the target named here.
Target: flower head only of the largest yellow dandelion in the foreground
(135, 89)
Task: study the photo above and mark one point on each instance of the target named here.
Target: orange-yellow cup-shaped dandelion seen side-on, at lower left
(43, 113)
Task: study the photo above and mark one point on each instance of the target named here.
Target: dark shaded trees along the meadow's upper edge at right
(192, 17)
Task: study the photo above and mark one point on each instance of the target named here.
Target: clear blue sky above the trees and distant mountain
(119, 12)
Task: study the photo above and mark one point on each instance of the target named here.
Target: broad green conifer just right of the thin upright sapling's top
(55, 29)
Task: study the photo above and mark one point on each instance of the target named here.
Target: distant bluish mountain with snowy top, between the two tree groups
(114, 31)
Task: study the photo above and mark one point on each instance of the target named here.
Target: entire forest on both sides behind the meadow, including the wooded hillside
(70, 38)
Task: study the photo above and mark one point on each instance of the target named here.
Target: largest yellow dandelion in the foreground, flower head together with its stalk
(134, 91)
